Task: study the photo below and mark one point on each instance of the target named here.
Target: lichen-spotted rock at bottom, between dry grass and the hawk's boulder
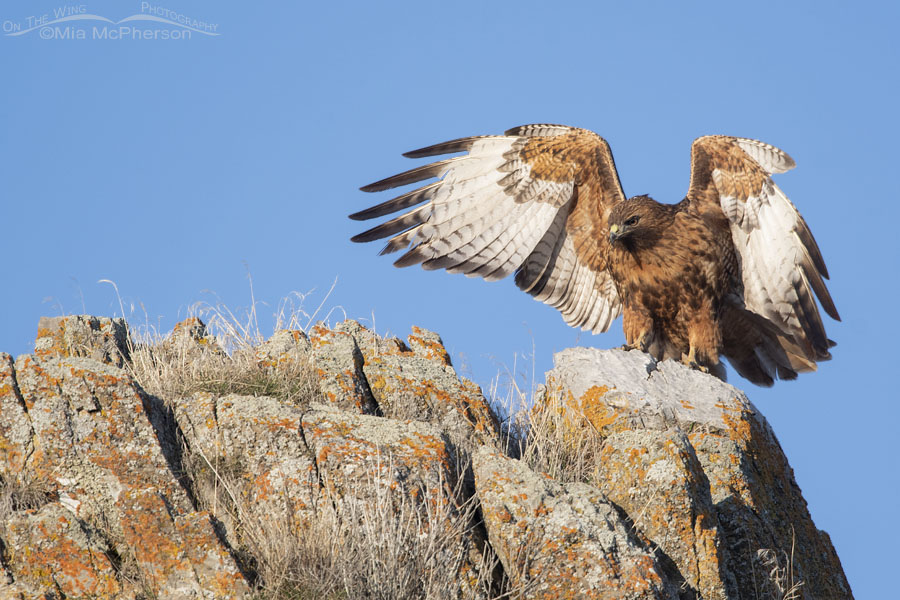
(562, 540)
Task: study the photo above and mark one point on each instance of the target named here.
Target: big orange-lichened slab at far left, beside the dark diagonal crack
(97, 453)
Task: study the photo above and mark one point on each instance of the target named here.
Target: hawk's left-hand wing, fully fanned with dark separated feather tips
(534, 201)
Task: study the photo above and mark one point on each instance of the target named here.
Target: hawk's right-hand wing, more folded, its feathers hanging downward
(781, 265)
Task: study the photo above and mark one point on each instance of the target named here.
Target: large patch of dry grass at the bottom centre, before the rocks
(380, 544)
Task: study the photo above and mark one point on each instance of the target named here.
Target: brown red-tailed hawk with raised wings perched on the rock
(729, 271)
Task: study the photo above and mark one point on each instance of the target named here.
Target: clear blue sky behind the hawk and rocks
(175, 167)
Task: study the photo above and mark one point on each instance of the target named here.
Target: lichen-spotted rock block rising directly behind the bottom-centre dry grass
(406, 467)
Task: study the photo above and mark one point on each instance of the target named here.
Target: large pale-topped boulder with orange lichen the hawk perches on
(699, 470)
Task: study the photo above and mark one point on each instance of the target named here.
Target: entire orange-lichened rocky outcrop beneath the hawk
(396, 467)
